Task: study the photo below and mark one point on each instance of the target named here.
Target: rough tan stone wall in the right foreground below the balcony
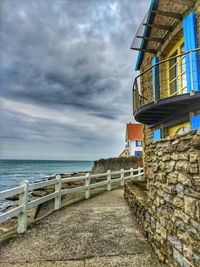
(172, 212)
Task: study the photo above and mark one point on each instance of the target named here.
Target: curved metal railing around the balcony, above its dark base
(173, 76)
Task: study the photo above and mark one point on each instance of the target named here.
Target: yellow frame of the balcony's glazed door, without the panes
(180, 73)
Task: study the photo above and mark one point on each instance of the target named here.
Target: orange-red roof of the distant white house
(134, 131)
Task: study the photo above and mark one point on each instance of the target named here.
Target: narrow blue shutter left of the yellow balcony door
(155, 79)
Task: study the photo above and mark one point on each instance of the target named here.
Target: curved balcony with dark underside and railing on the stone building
(168, 89)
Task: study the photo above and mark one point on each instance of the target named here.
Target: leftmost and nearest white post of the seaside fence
(23, 201)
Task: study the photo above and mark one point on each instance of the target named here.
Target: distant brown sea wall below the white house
(115, 164)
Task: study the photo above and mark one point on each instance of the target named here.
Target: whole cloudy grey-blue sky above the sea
(66, 76)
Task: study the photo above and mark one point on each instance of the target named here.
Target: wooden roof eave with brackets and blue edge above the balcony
(156, 33)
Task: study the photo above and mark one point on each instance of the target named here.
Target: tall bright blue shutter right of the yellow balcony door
(191, 42)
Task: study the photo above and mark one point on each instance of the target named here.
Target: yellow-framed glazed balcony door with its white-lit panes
(177, 83)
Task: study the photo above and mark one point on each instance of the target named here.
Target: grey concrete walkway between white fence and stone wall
(94, 233)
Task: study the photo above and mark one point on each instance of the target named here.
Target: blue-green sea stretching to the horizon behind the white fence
(14, 171)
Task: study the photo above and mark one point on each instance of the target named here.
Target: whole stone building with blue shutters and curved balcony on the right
(167, 102)
